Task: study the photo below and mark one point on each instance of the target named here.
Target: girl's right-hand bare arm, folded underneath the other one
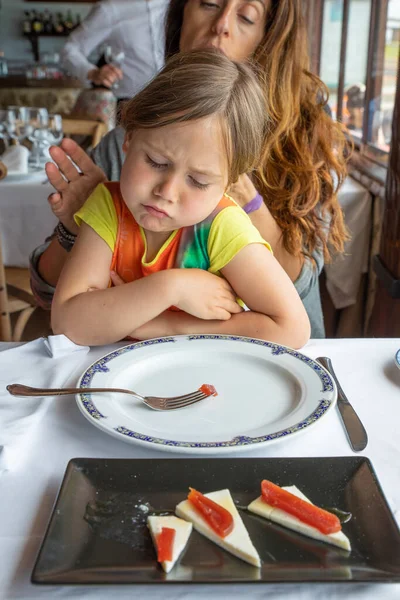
(277, 313)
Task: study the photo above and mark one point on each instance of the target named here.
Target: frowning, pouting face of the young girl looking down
(174, 176)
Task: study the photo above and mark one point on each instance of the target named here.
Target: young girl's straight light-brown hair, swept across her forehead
(196, 85)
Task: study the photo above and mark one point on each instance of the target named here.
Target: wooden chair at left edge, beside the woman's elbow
(15, 297)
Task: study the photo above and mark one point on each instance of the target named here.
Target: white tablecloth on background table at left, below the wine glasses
(25, 217)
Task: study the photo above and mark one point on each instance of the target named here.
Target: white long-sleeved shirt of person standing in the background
(135, 27)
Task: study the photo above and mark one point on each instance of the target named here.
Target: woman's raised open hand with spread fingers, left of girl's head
(72, 188)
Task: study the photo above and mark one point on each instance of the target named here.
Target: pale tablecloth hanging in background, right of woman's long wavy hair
(343, 275)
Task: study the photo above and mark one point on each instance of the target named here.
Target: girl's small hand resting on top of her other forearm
(204, 295)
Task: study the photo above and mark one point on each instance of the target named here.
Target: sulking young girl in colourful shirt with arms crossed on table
(169, 230)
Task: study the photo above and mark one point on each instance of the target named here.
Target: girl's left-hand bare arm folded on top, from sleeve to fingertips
(108, 314)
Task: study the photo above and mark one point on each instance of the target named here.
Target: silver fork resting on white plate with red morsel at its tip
(154, 402)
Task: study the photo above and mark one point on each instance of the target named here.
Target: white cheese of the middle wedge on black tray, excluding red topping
(237, 542)
